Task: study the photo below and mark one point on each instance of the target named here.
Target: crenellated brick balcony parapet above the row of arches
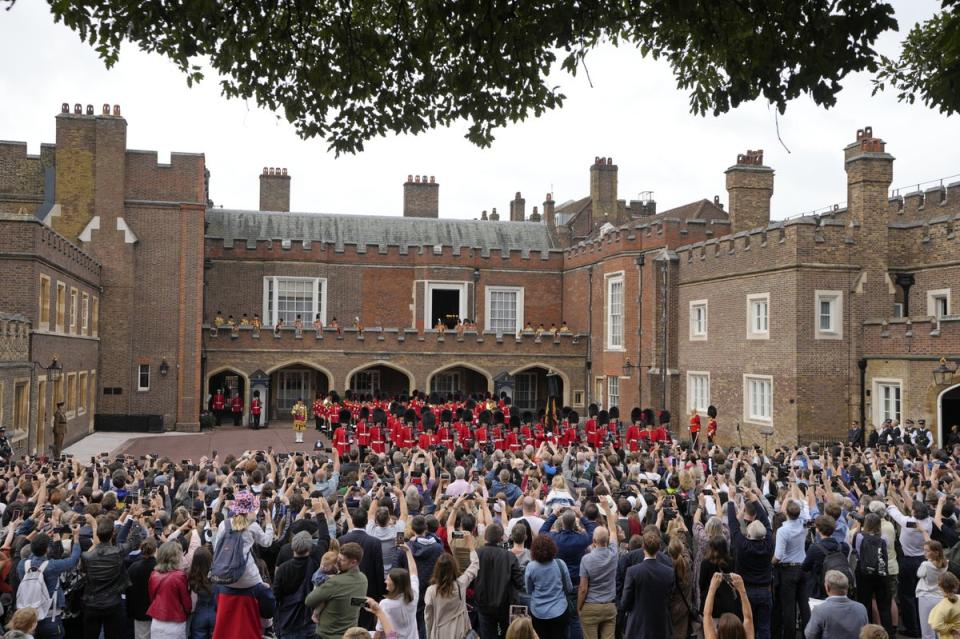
(393, 340)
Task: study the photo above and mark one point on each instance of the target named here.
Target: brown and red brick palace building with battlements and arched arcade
(774, 322)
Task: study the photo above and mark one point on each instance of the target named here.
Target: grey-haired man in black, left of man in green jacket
(291, 585)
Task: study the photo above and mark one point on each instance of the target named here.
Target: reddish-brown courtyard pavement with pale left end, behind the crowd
(225, 440)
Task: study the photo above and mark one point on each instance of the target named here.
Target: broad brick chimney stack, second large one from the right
(749, 188)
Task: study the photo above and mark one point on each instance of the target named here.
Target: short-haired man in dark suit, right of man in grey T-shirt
(647, 590)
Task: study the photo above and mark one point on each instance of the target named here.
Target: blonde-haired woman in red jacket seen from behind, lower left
(170, 603)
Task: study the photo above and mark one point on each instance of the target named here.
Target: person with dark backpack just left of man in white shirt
(873, 561)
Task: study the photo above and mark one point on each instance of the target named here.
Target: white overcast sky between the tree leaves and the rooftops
(633, 113)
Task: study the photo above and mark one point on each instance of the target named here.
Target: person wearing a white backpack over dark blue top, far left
(39, 578)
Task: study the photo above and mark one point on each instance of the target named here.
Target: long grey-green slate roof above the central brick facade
(336, 229)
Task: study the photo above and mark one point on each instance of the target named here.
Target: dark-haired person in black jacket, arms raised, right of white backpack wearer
(107, 577)
